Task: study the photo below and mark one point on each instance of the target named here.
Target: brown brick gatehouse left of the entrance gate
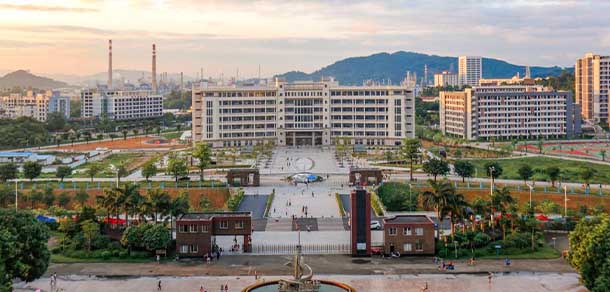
(196, 232)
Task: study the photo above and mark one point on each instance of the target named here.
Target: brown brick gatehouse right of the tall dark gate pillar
(409, 235)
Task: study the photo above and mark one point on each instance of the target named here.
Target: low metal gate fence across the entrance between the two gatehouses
(311, 249)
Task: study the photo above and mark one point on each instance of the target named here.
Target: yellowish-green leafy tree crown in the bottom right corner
(590, 252)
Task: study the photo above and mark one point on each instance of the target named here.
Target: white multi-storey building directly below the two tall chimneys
(121, 105)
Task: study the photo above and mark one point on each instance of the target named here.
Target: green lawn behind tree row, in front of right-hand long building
(570, 169)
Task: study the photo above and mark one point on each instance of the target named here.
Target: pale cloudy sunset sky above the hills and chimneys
(70, 37)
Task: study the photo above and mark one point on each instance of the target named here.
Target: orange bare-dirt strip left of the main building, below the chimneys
(129, 143)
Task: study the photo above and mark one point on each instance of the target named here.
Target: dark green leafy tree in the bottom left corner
(23, 247)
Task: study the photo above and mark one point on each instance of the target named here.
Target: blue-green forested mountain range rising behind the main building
(384, 66)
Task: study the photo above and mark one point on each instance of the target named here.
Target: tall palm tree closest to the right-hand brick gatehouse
(438, 198)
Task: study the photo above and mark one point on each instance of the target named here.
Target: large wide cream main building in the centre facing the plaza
(302, 113)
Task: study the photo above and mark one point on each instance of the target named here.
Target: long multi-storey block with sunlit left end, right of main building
(506, 112)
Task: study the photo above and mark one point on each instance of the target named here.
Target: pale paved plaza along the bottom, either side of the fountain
(407, 283)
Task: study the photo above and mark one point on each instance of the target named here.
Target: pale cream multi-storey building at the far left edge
(34, 105)
